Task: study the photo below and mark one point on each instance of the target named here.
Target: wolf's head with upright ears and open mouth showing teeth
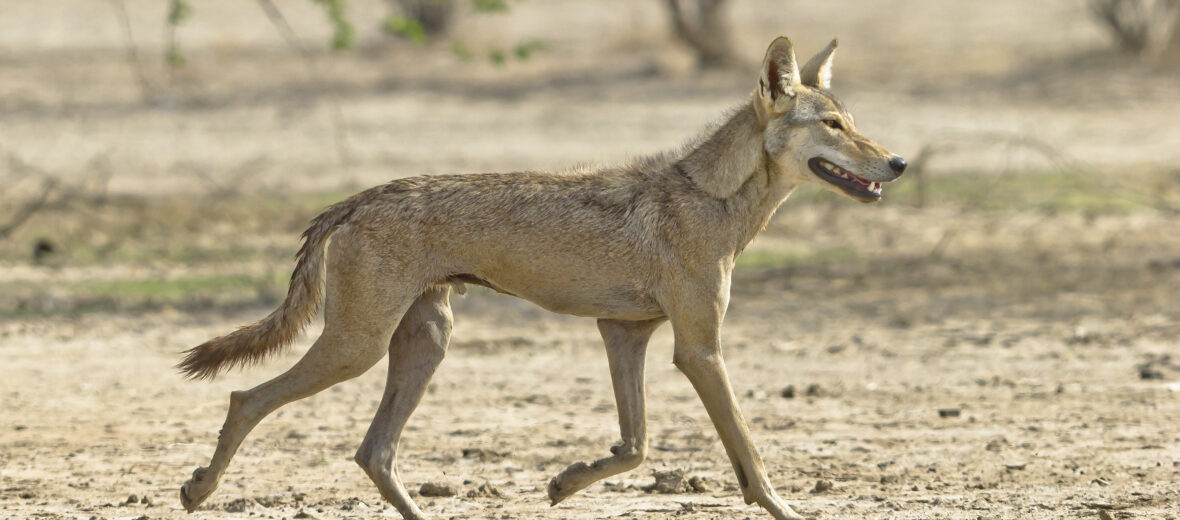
(810, 135)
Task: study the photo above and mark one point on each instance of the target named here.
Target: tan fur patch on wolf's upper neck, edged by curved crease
(730, 157)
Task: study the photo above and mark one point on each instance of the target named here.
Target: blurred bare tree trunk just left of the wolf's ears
(705, 29)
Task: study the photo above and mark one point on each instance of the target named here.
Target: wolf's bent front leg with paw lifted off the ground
(627, 344)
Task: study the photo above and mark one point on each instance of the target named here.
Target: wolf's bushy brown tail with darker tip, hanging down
(253, 344)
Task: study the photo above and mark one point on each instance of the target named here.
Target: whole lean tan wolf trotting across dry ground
(634, 247)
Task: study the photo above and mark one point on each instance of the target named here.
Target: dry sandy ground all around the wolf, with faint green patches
(1001, 347)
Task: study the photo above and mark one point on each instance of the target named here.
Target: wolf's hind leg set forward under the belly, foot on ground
(416, 352)
